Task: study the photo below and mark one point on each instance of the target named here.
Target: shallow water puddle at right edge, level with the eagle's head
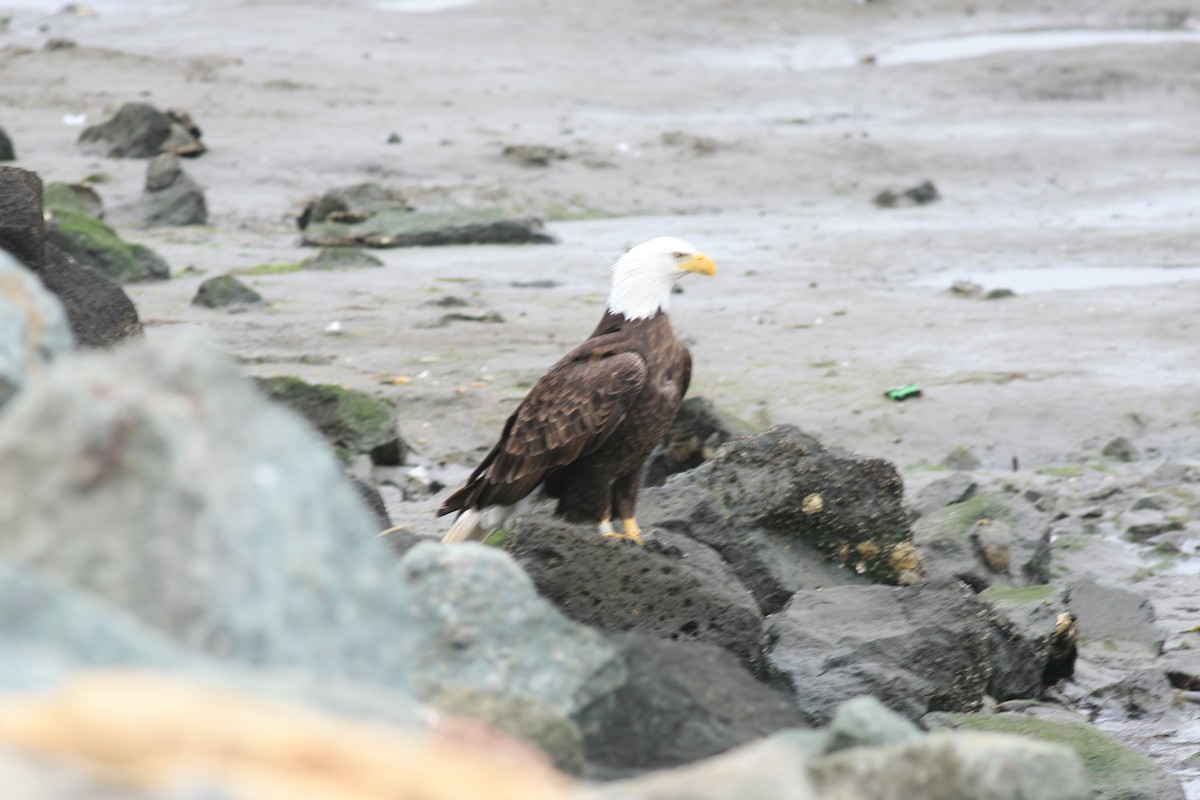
(1065, 279)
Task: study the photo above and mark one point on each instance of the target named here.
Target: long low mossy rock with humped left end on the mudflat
(373, 216)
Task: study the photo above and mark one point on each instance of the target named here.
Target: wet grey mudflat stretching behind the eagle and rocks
(1064, 145)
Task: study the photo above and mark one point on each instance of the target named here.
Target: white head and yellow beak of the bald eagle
(644, 278)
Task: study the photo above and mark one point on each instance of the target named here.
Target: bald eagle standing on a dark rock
(584, 432)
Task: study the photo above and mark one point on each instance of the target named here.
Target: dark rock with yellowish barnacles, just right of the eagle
(848, 508)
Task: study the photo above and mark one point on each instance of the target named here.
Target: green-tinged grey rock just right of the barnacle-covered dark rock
(987, 540)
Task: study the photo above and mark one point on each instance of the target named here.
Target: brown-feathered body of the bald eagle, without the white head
(585, 431)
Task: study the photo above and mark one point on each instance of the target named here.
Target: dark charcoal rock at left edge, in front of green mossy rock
(101, 315)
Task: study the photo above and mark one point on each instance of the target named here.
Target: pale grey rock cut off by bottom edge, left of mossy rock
(956, 767)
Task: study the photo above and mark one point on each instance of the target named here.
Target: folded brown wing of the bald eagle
(571, 413)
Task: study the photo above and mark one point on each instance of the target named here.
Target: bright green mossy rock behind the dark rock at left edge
(94, 244)
